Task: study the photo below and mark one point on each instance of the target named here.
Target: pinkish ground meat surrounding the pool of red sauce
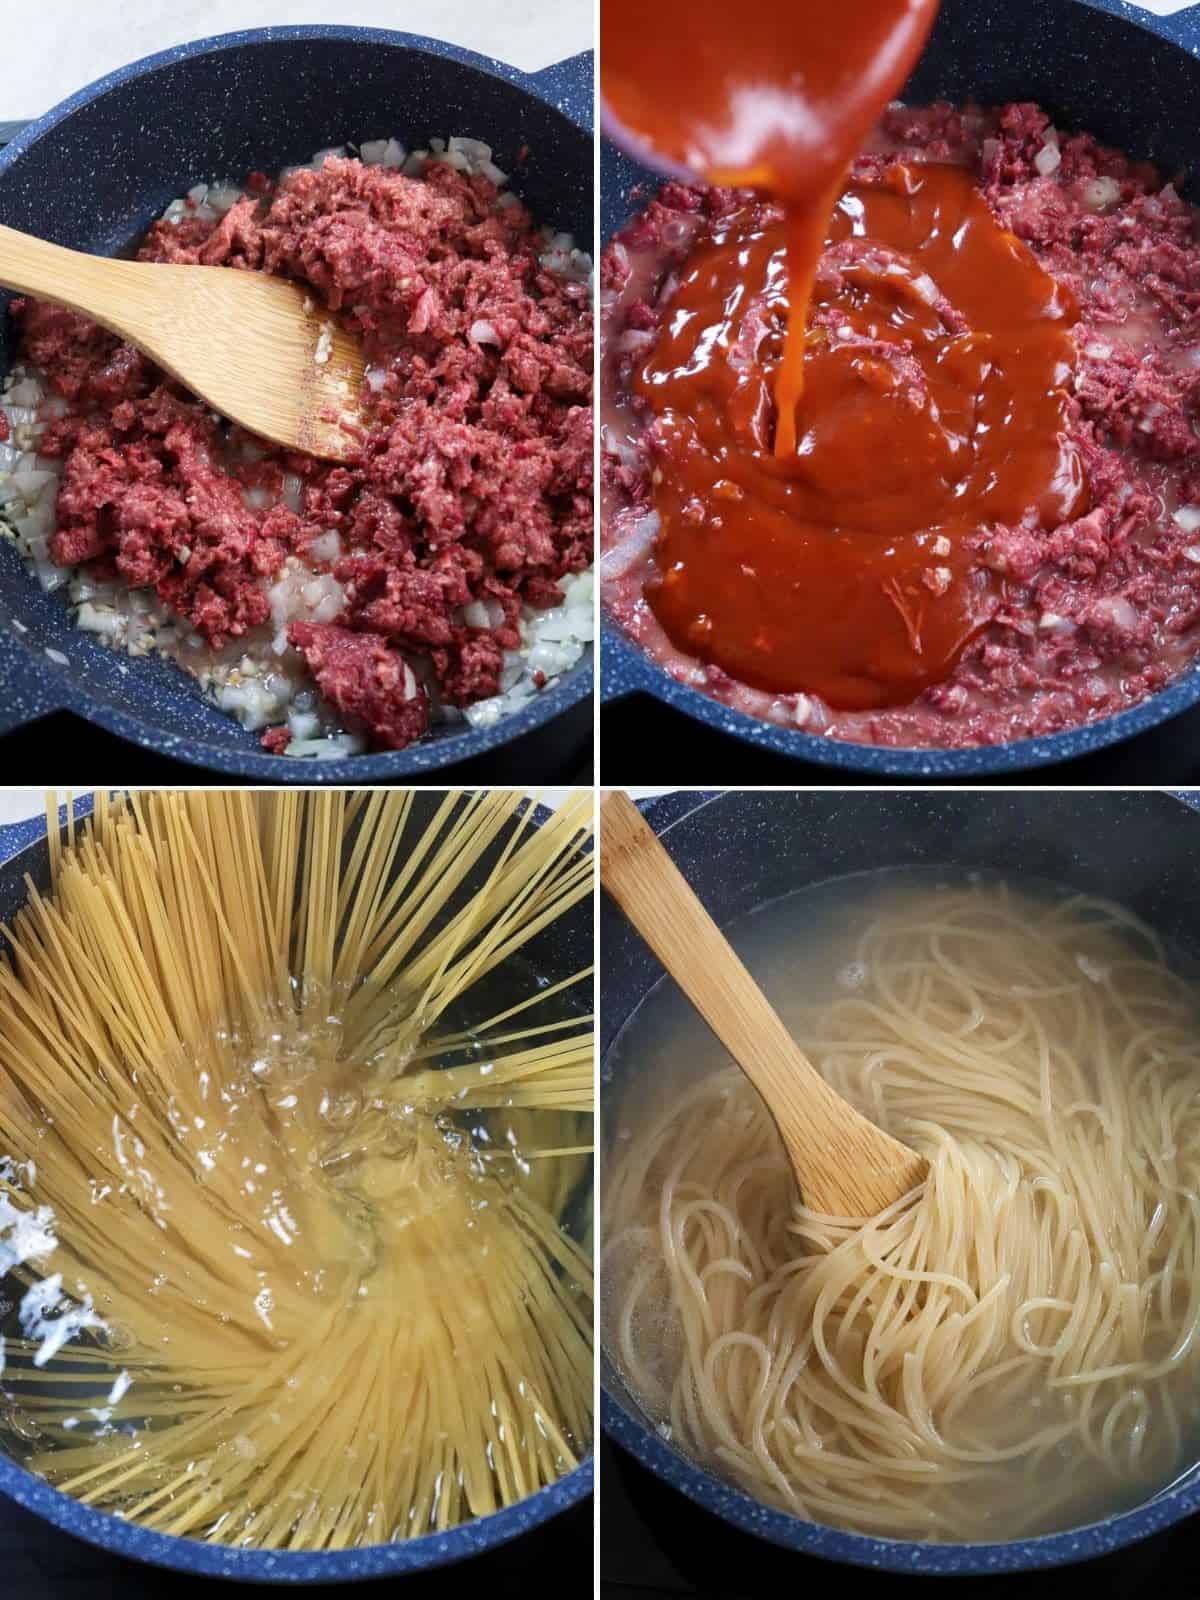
(1097, 614)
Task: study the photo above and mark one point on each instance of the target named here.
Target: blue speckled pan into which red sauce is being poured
(1122, 71)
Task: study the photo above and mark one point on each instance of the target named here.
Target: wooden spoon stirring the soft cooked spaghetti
(844, 1164)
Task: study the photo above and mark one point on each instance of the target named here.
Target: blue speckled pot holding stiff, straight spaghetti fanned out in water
(23, 850)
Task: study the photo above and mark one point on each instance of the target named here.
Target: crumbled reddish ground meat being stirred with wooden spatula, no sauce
(474, 482)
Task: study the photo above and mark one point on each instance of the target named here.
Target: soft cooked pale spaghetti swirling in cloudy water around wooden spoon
(1014, 1348)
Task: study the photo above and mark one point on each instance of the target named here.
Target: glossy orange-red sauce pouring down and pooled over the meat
(841, 404)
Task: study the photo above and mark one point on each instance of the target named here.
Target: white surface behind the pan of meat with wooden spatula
(60, 49)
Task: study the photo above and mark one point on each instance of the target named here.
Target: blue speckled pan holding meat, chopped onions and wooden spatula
(98, 169)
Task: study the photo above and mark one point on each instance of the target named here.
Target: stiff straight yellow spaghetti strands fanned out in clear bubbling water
(295, 1134)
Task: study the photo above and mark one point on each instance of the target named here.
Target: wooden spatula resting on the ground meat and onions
(255, 348)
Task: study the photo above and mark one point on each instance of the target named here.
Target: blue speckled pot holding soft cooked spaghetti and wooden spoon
(745, 849)
